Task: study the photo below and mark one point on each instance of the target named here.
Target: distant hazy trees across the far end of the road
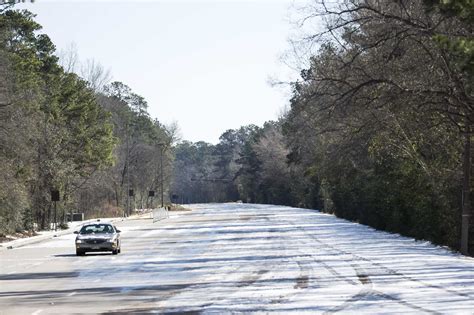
(248, 164)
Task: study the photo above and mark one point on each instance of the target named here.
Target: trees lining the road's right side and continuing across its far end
(379, 129)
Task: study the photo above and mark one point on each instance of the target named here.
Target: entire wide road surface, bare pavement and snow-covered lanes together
(233, 258)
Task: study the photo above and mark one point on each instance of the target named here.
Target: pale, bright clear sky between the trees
(206, 65)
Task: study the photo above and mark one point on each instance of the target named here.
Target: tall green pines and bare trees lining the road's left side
(60, 132)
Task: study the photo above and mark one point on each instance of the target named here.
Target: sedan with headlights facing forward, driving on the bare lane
(98, 237)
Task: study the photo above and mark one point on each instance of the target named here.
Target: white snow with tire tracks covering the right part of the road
(271, 258)
